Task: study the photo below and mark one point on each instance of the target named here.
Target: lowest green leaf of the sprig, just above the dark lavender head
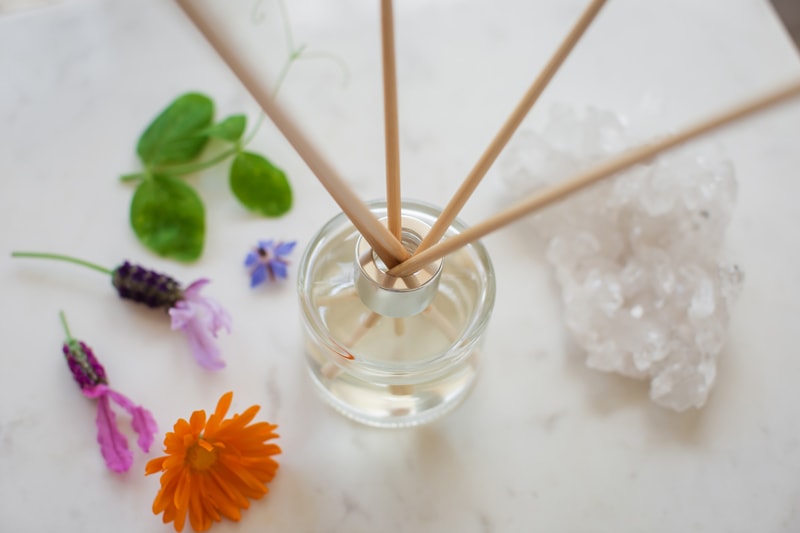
(168, 217)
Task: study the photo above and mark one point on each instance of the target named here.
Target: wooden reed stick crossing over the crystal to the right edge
(561, 190)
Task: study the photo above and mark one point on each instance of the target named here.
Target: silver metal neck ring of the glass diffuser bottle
(396, 296)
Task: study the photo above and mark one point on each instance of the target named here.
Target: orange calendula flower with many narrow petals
(214, 468)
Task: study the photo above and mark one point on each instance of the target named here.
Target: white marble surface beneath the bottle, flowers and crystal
(542, 444)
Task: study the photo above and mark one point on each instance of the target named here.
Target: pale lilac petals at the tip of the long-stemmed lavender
(201, 319)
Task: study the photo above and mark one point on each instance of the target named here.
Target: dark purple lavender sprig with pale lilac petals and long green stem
(199, 317)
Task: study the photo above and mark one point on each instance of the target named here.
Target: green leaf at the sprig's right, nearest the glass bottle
(259, 185)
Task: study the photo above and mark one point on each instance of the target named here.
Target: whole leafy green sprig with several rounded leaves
(166, 213)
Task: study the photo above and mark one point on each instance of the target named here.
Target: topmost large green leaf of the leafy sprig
(175, 136)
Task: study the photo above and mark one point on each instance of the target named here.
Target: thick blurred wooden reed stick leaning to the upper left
(388, 248)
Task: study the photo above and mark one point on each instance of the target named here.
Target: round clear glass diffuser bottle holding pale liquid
(398, 359)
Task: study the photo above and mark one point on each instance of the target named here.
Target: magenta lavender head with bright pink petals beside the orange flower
(91, 377)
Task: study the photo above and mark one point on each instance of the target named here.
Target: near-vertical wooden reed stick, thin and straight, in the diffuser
(393, 201)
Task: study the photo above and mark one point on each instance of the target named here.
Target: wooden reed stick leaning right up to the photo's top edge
(450, 212)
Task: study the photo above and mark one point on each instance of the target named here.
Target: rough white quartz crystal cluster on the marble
(638, 256)
